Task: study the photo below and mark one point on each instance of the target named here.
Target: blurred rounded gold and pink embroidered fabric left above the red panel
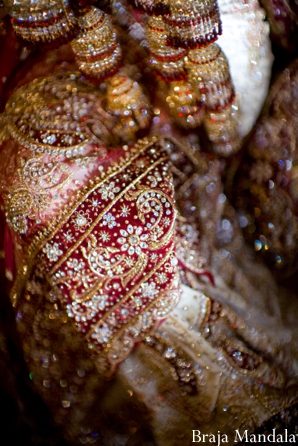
(50, 121)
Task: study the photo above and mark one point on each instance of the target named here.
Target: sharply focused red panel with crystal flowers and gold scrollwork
(118, 276)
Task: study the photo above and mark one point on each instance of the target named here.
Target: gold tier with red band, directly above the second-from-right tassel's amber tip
(167, 63)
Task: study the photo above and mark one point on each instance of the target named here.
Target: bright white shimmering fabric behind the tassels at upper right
(252, 56)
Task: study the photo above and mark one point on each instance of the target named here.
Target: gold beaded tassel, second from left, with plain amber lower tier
(99, 57)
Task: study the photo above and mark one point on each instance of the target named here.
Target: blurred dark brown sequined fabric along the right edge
(266, 191)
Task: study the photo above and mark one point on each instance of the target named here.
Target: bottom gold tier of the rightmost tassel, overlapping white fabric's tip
(221, 129)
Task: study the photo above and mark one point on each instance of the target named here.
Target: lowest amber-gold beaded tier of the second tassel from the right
(184, 108)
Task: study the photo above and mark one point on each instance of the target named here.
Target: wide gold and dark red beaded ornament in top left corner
(47, 22)
